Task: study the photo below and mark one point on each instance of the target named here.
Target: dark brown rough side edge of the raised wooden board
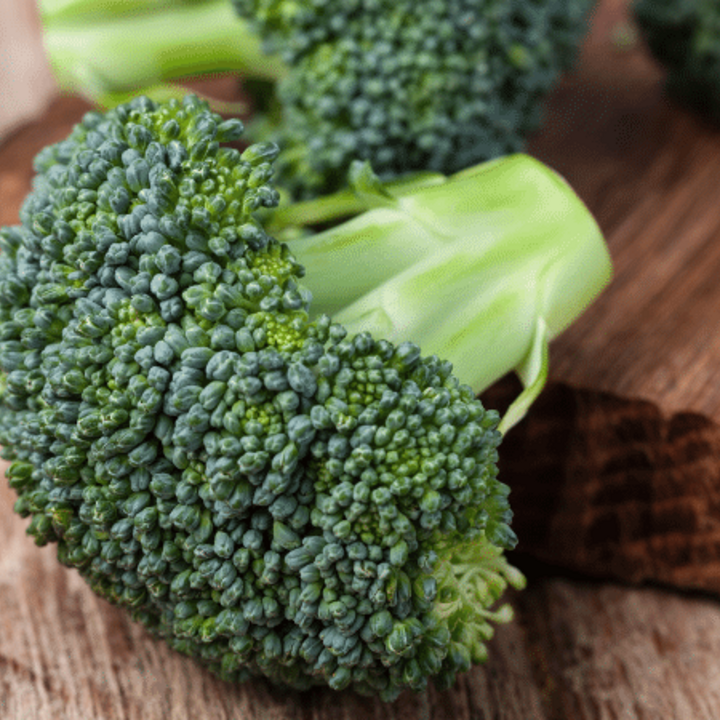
(611, 487)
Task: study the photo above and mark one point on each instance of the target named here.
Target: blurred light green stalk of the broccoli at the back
(109, 51)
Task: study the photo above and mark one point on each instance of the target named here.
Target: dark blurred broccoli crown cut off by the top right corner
(684, 35)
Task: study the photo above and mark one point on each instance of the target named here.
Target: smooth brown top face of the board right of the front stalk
(648, 171)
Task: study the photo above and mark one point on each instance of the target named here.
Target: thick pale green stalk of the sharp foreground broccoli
(483, 269)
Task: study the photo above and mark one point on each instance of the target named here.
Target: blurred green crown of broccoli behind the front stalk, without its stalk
(434, 85)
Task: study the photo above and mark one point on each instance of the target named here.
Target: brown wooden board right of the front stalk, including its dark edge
(617, 470)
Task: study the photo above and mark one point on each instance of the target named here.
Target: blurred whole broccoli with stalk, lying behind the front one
(437, 85)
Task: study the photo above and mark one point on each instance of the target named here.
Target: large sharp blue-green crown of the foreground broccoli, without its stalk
(268, 494)
